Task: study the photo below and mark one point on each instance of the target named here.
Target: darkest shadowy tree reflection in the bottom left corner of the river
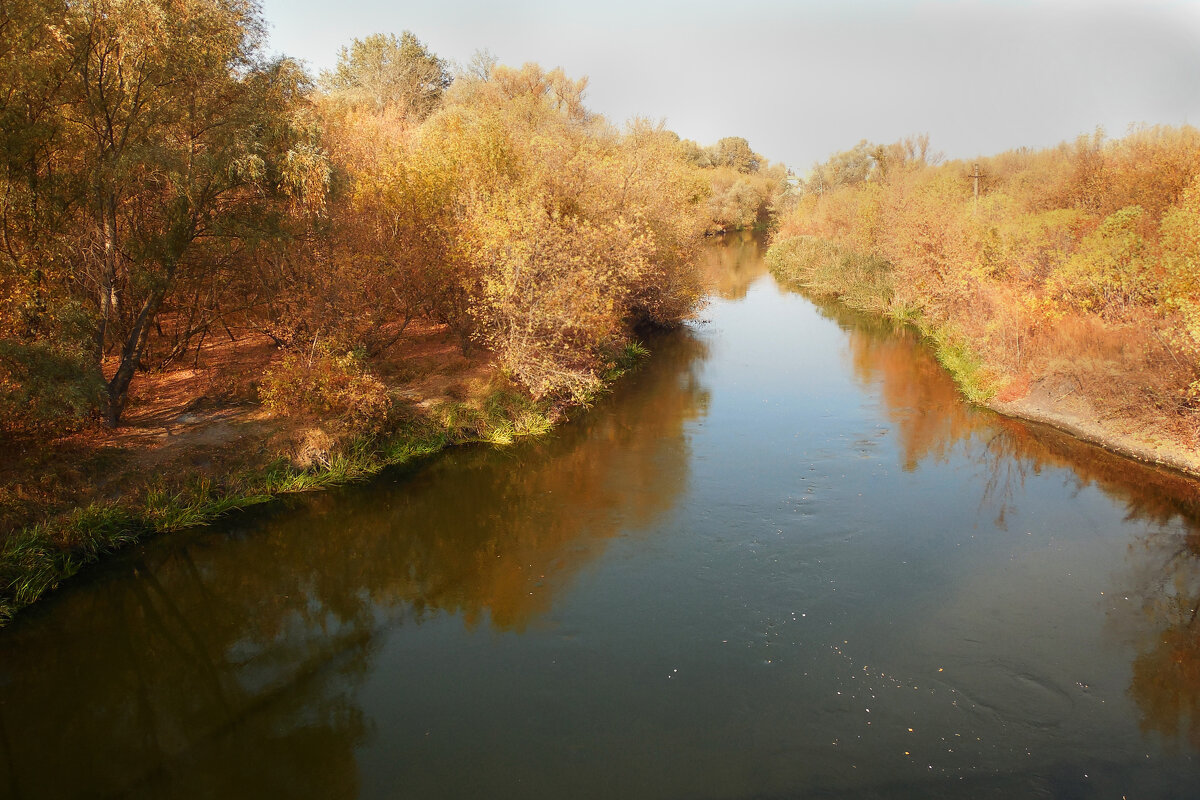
(158, 678)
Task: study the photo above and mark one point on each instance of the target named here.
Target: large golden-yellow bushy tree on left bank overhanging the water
(568, 232)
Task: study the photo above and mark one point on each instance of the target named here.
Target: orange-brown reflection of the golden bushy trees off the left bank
(495, 536)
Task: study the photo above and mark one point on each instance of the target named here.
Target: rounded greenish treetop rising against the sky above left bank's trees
(387, 71)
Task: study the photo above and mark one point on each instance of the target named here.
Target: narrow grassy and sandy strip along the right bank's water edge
(1058, 398)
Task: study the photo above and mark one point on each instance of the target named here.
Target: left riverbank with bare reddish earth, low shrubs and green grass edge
(185, 460)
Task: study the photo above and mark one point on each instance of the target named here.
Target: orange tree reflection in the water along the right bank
(932, 423)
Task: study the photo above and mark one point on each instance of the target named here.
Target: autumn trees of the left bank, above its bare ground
(165, 183)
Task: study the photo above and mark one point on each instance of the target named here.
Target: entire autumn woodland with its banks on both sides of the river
(185, 218)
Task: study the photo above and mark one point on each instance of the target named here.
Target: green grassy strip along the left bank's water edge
(38, 558)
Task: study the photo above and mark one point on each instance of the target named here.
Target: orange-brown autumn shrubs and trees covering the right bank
(1067, 291)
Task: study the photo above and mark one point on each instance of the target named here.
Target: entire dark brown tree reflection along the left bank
(231, 664)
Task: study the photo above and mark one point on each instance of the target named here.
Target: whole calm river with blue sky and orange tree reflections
(781, 561)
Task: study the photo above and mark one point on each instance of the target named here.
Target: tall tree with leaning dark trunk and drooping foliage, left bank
(177, 124)
